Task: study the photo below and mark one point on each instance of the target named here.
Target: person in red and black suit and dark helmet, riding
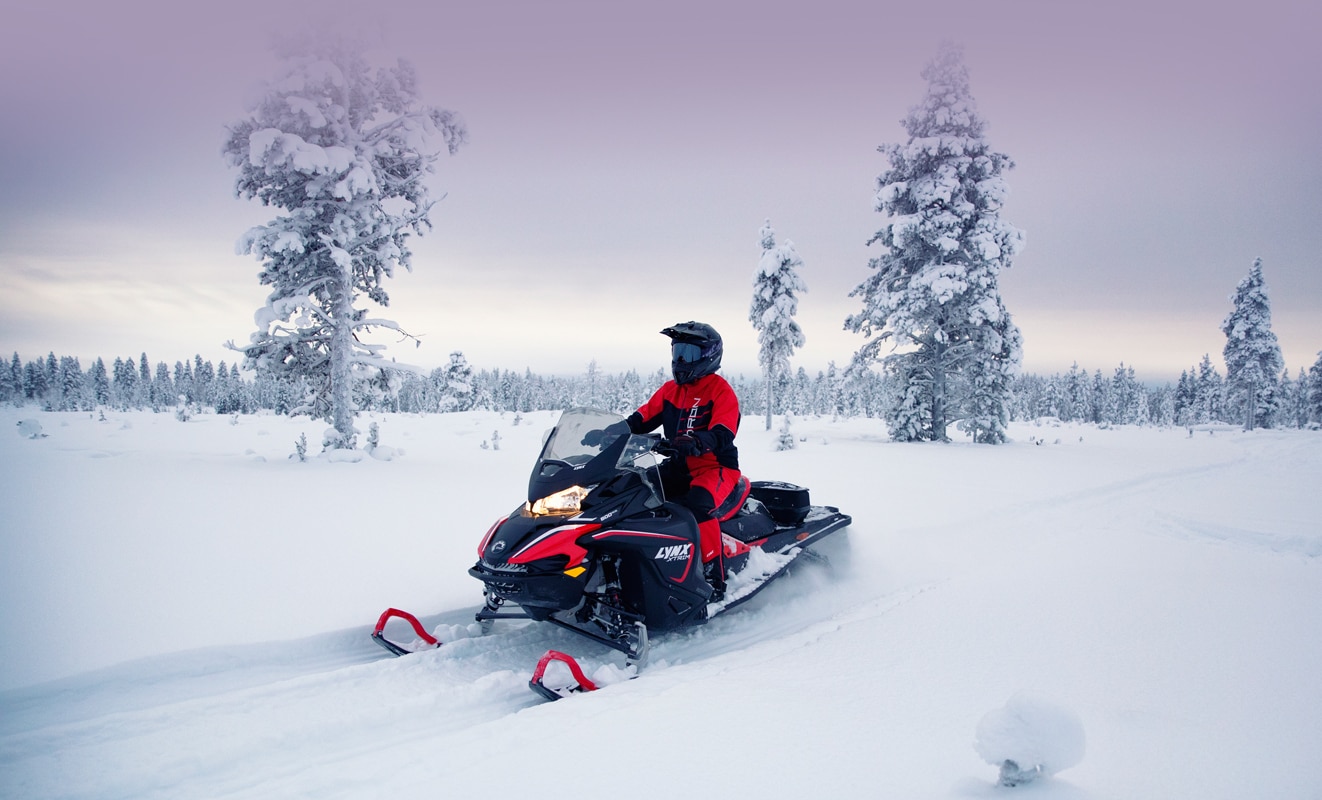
(700, 415)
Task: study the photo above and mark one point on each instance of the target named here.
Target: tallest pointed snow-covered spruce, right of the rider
(934, 293)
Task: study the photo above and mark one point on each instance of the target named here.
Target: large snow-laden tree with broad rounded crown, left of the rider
(344, 151)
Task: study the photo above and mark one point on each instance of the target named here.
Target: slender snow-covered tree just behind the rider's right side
(777, 286)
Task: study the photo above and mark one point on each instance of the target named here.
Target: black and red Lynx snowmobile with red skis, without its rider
(600, 551)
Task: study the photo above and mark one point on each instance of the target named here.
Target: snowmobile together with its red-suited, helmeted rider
(605, 545)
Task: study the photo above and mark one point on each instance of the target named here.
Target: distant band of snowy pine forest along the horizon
(1202, 395)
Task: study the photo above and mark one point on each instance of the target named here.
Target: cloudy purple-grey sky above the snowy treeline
(623, 158)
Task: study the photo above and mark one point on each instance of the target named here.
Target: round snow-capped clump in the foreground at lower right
(1029, 739)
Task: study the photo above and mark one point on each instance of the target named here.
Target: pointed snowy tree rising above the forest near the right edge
(1254, 360)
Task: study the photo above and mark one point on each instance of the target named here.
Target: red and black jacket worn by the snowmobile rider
(707, 408)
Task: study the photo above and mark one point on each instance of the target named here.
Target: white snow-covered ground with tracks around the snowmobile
(187, 616)
